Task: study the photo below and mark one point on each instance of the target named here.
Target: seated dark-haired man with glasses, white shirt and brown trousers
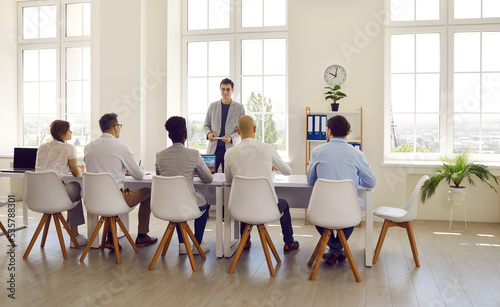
(107, 154)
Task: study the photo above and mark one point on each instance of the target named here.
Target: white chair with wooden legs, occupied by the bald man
(252, 201)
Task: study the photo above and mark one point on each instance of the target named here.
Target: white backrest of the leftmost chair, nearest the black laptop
(44, 192)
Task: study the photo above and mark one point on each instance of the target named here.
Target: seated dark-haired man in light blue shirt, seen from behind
(338, 160)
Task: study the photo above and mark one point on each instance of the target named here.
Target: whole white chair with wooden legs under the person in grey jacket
(172, 200)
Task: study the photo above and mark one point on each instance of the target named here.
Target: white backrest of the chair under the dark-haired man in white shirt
(102, 196)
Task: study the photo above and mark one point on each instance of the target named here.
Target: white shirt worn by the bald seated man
(252, 158)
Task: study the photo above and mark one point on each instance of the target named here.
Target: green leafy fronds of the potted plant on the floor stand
(455, 171)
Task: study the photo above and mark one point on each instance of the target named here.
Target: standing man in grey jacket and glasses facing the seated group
(220, 123)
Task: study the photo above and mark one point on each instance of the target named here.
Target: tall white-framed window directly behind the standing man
(251, 49)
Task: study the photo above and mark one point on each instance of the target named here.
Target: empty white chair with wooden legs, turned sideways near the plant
(400, 217)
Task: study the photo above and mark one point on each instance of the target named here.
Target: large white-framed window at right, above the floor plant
(443, 72)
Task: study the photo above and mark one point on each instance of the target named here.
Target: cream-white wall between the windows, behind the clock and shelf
(125, 46)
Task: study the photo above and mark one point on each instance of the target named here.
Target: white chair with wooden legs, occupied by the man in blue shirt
(333, 205)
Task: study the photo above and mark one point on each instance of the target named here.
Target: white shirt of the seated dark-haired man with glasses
(107, 154)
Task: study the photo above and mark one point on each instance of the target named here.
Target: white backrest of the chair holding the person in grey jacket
(172, 199)
